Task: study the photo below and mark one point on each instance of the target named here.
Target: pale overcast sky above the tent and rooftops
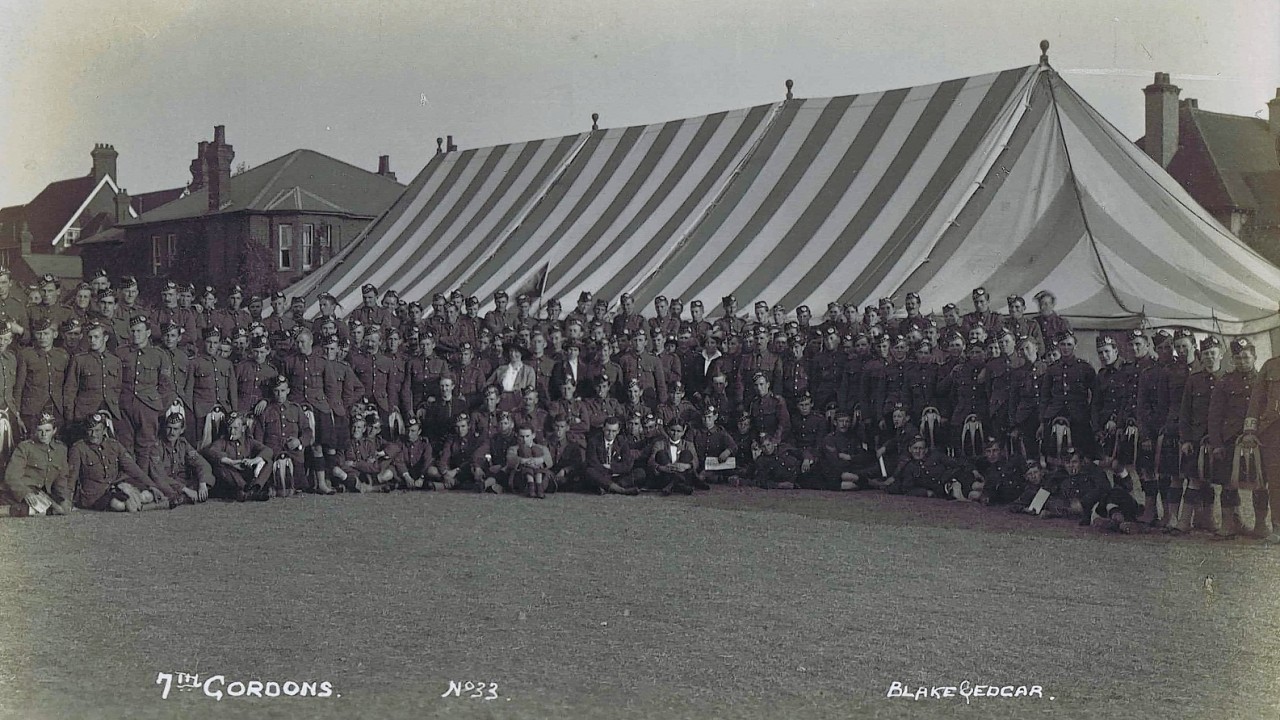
(360, 80)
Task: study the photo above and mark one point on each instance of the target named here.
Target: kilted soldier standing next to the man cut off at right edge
(1228, 411)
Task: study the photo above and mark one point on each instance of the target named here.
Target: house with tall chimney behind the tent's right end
(1231, 165)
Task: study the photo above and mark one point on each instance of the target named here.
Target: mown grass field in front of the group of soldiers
(733, 604)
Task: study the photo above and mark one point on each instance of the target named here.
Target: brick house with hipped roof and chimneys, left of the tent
(263, 229)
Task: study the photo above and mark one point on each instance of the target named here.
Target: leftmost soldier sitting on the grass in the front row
(36, 480)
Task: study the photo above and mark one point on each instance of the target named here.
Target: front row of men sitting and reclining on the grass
(100, 475)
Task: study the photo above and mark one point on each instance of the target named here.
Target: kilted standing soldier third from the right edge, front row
(1196, 450)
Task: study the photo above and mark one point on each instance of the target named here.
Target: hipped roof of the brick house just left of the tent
(301, 181)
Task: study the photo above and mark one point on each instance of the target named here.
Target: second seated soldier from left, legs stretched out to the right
(108, 479)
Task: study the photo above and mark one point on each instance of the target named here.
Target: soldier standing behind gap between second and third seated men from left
(147, 382)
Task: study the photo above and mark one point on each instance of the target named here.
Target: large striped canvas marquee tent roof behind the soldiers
(1008, 181)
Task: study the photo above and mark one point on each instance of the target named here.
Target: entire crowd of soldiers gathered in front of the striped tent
(194, 399)
